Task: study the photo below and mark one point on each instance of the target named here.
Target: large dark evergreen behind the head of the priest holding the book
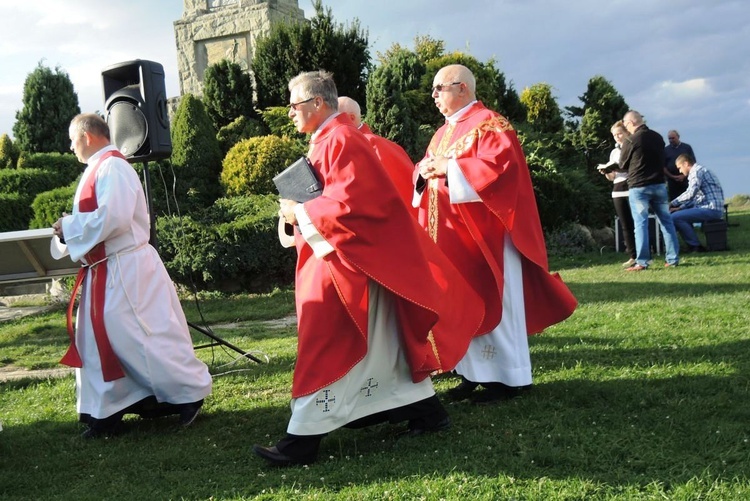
(290, 49)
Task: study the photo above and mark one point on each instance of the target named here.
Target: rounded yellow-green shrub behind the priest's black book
(250, 165)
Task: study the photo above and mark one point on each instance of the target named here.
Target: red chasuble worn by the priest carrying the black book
(375, 238)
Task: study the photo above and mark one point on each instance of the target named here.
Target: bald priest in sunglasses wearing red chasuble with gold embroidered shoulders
(476, 201)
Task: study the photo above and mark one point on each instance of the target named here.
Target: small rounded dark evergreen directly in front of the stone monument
(227, 93)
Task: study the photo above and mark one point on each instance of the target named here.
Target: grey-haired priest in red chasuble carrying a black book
(380, 308)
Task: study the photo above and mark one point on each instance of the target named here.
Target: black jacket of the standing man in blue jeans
(643, 157)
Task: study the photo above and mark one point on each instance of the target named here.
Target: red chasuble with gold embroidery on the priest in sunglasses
(487, 151)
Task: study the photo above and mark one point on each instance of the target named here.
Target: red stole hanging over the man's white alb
(97, 265)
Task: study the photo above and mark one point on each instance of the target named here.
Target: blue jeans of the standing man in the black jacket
(654, 197)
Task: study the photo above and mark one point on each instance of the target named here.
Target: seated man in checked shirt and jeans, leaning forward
(702, 201)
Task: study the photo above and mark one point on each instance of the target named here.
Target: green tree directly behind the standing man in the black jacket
(589, 125)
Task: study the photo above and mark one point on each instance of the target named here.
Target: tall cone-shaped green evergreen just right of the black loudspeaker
(196, 157)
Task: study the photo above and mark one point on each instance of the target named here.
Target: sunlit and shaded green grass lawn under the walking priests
(644, 393)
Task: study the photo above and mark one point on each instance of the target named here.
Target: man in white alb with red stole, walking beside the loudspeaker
(131, 346)
